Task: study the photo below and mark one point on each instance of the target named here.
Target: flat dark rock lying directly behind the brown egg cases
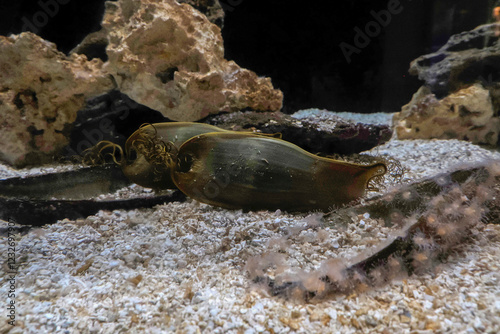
(342, 138)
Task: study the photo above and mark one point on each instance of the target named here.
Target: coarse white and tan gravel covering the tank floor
(180, 267)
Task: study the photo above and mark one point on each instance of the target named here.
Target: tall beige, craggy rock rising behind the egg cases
(169, 57)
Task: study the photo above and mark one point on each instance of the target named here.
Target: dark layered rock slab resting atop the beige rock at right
(466, 58)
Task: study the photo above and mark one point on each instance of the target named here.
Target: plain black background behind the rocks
(297, 45)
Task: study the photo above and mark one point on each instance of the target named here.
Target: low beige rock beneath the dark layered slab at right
(467, 114)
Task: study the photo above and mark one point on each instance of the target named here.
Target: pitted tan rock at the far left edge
(41, 91)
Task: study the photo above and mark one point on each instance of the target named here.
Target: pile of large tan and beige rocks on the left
(164, 55)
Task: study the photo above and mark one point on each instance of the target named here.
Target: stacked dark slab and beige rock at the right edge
(461, 94)
